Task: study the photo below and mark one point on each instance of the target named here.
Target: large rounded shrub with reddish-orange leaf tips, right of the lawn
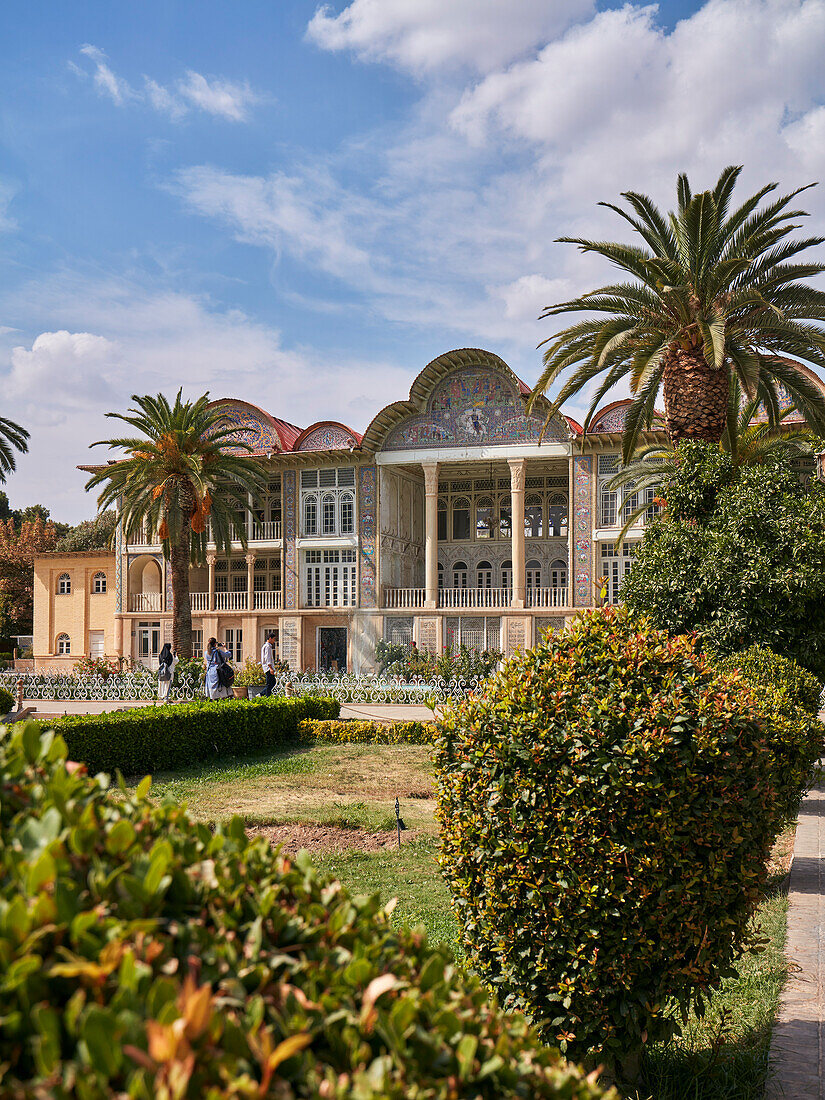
(607, 810)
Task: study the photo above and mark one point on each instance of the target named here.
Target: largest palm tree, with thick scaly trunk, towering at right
(713, 295)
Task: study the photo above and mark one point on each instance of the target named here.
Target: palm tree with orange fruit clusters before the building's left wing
(181, 474)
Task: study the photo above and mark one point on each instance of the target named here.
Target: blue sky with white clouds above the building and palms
(302, 206)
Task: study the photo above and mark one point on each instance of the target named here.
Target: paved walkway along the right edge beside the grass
(798, 1046)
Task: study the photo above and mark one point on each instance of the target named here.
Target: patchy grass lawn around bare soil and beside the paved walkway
(720, 1058)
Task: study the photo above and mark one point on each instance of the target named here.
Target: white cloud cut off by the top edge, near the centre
(424, 36)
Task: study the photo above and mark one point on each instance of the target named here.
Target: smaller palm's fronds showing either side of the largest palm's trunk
(750, 443)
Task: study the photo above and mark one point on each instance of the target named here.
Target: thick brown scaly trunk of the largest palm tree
(696, 397)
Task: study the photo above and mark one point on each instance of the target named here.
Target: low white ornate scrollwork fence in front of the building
(144, 686)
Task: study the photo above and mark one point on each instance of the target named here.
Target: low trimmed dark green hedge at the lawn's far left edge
(163, 739)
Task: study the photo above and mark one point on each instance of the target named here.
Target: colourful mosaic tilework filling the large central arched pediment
(474, 408)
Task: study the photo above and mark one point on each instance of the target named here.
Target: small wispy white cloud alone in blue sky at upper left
(194, 92)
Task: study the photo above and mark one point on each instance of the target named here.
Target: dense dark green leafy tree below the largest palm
(752, 573)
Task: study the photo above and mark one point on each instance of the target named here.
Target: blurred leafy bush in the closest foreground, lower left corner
(149, 956)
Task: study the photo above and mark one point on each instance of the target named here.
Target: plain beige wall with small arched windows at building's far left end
(79, 612)
